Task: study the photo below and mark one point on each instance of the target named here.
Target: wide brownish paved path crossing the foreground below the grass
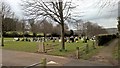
(16, 58)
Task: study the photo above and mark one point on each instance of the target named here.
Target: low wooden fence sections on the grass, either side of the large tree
(79, 50)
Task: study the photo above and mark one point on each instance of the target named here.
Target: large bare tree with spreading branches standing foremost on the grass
(57, 10)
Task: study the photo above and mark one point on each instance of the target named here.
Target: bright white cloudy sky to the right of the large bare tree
(106, 17)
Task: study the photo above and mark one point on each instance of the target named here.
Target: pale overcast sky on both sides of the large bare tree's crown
(90, 10)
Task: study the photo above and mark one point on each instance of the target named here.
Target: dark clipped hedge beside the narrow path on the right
(103, 39)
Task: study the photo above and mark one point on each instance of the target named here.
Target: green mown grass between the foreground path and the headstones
(33, 47)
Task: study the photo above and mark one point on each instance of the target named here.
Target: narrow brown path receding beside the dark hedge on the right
(105, 55)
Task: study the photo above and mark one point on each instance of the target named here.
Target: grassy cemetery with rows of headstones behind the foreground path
(52, 46)
